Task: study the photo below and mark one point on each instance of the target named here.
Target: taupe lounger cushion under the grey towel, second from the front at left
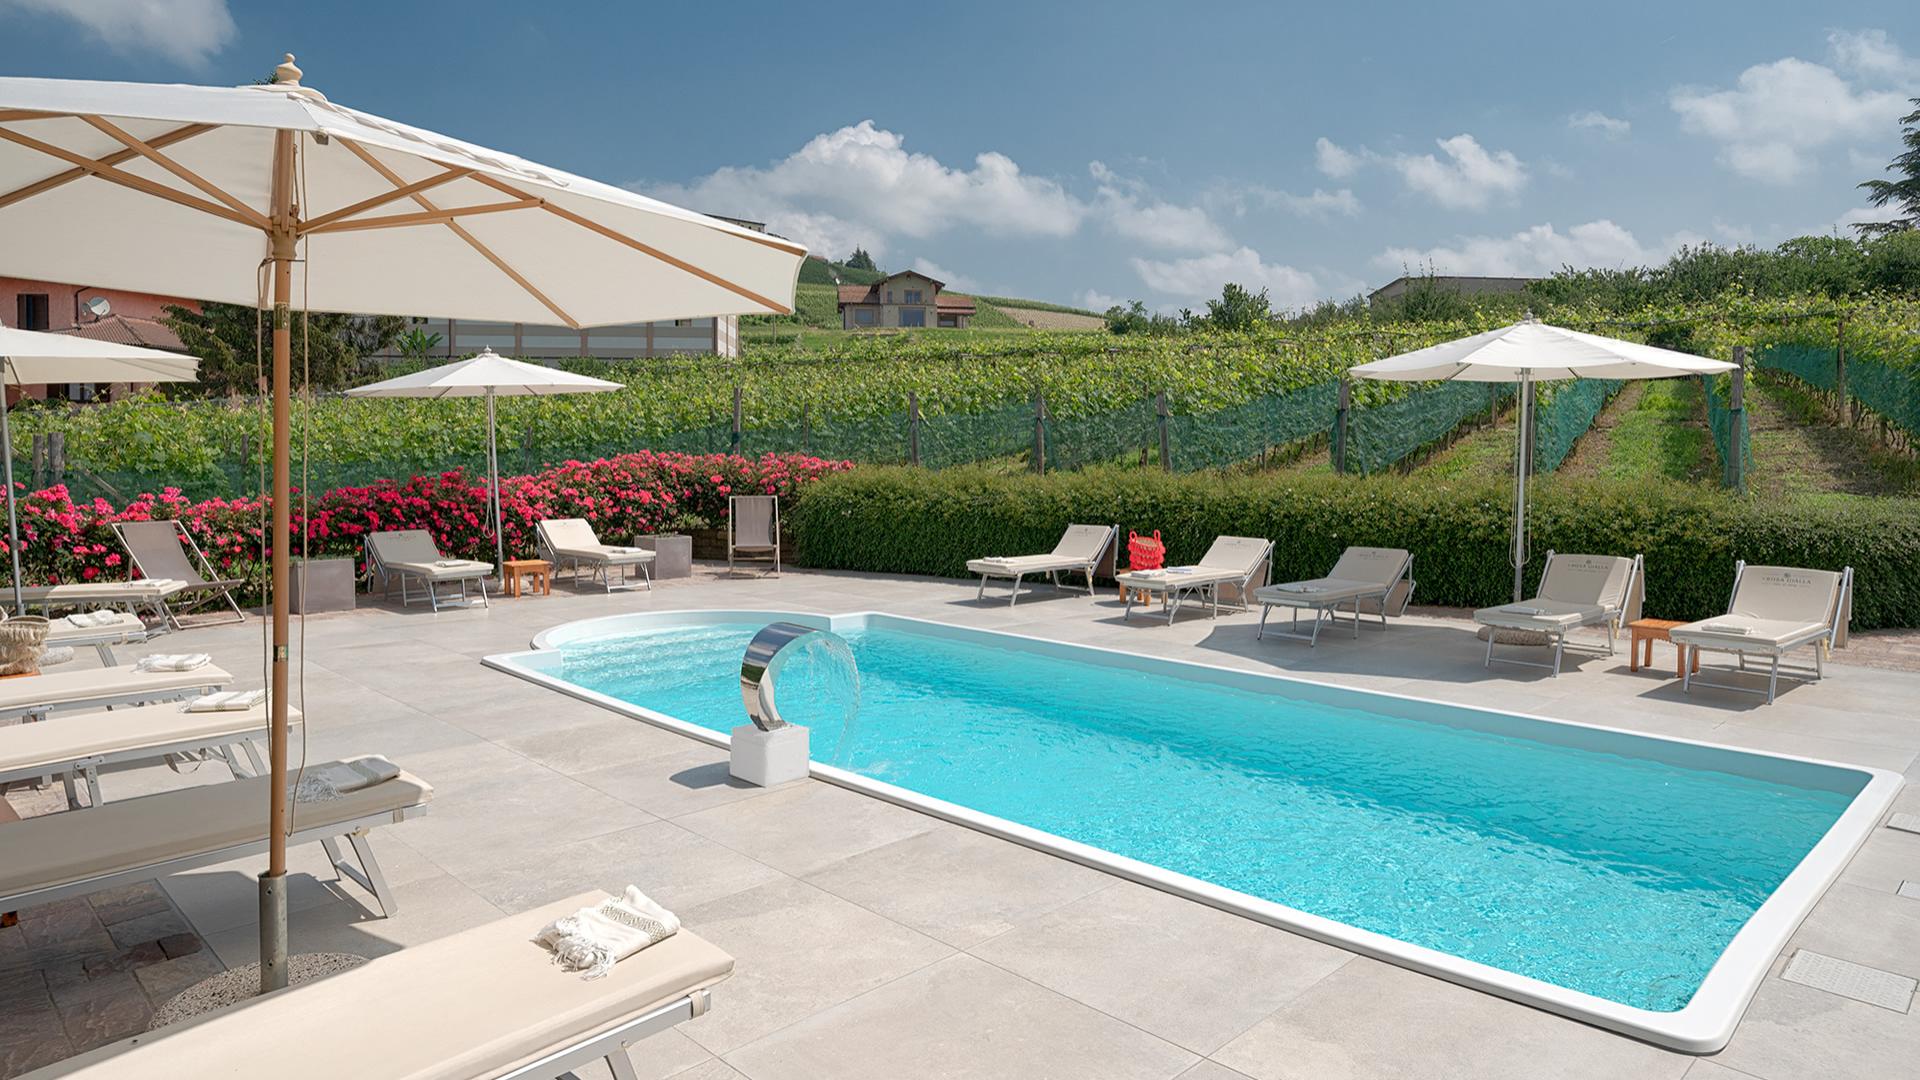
(60, 848)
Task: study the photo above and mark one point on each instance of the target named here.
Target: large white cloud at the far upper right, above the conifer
(1777, 116)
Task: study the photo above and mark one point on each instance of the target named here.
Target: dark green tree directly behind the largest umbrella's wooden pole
(224, 337)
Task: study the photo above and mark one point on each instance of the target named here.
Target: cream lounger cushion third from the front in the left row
(74, 737)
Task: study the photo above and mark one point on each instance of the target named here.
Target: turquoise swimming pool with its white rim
(1623, 879)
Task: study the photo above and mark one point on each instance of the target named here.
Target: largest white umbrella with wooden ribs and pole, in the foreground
(226, 193)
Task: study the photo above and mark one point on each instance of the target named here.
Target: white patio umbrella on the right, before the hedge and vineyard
(1535, 353)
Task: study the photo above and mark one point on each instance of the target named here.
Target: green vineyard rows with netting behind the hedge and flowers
(1072, 401)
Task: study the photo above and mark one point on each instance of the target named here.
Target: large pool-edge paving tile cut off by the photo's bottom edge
(1385, 1023)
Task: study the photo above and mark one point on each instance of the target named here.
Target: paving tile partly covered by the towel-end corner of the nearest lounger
(798, 950)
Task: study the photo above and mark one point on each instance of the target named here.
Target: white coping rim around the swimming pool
(1702, 1027)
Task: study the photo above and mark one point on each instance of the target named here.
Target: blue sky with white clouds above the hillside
(1090, 153)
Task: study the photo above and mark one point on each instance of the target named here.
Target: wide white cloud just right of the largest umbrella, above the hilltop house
(859, 185)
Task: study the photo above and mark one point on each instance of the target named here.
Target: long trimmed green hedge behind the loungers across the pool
(930, 524)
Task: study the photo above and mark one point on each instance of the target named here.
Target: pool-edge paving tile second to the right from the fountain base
(959, 885)
